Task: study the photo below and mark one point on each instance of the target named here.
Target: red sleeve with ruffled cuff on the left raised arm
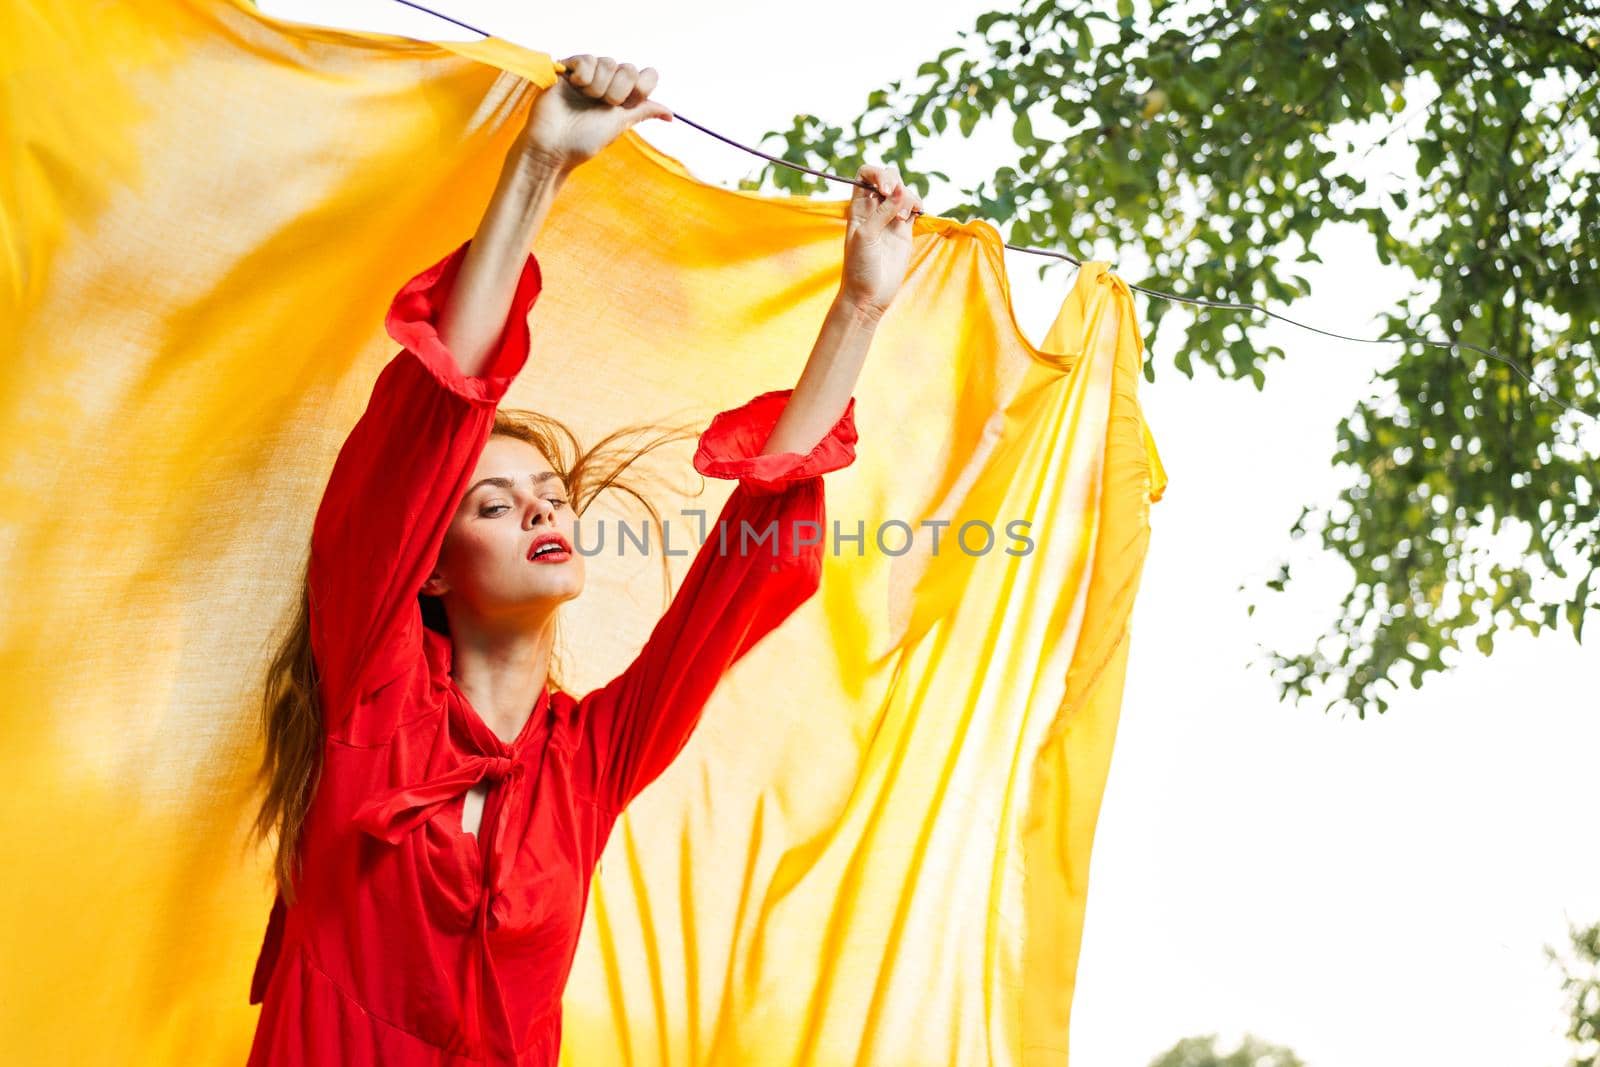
(396, 487)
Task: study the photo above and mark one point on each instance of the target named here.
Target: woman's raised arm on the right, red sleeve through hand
(778, 447)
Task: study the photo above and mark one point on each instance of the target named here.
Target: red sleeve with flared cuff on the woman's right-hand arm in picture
(639, 722)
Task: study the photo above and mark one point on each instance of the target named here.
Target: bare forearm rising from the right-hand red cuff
(830, 378)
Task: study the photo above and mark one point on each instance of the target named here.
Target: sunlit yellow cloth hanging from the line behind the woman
(876, 847)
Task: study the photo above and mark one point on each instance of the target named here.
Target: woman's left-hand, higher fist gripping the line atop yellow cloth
(586, 110)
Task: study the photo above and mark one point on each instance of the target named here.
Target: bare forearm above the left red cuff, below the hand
(481, 298)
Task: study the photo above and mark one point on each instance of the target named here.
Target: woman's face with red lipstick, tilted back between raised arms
(514, 498)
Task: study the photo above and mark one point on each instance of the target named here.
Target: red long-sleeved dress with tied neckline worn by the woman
(415, 941)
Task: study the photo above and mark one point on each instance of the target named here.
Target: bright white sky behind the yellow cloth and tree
(1370, 893)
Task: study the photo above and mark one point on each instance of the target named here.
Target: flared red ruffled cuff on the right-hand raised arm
(730, 447)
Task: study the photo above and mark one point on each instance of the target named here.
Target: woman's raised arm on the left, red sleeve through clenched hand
(465, 332)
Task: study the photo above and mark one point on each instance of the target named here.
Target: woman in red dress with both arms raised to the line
(439, 802)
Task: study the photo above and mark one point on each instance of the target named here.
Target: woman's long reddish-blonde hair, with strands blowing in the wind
(290, 706)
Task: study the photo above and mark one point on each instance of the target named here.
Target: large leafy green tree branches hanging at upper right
(1218, 140)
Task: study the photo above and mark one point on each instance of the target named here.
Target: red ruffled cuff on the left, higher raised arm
(414, 322)
